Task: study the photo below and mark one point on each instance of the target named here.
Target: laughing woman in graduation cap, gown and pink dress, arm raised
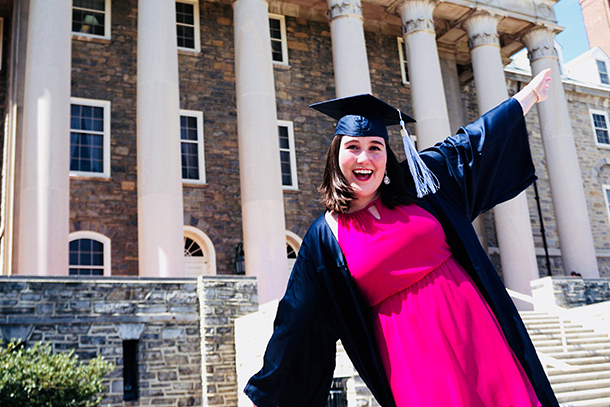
(404, 282)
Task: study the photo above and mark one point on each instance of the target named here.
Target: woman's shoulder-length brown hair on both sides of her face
(337, 194)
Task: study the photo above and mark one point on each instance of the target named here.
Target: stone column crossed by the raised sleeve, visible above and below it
(513, 227)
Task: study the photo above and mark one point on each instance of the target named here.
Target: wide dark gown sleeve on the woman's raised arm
(486, 163)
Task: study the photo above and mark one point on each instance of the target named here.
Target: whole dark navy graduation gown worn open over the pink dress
(486, 163)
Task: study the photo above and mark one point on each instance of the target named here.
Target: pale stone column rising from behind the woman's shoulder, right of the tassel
(427, 93)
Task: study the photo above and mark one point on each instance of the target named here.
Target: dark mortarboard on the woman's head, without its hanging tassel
(362, 115)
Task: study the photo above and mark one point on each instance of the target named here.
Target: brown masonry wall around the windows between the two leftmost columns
(106, 70)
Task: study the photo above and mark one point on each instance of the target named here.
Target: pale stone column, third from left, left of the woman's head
(259, 158)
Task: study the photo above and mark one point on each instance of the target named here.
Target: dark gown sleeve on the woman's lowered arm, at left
(300, 358)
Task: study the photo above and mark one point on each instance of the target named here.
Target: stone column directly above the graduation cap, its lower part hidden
(349, 50)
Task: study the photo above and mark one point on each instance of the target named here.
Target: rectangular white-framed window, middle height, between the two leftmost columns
(89, 138)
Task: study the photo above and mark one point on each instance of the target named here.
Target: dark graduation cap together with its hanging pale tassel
(365, 115)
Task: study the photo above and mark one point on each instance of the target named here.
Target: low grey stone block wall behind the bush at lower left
(184, 326)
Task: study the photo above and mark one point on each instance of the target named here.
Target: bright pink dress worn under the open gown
(439, 341)
